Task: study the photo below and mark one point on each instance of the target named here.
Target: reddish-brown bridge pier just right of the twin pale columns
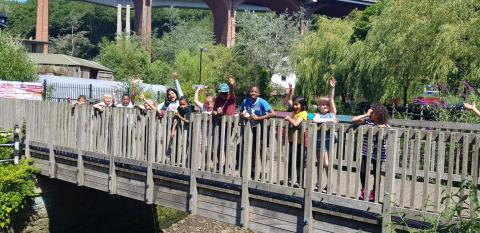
(143, 21)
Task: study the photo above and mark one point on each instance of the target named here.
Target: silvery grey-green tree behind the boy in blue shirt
(267, 39)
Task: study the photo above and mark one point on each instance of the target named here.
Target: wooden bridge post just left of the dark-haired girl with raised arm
(150, 157)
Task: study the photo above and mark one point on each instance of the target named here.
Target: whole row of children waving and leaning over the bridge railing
(256, 109)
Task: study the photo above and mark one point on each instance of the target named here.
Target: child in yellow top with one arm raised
(299, 115)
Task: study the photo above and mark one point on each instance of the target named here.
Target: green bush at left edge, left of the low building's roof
(15, 65)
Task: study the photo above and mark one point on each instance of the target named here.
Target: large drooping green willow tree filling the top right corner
(414, 43)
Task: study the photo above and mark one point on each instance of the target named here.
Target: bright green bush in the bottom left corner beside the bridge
(16, 184)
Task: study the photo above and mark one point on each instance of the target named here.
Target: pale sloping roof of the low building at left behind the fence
(64, 60)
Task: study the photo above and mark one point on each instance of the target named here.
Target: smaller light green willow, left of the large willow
(324, 54)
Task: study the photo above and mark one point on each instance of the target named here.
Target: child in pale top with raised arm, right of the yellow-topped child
(327, 113)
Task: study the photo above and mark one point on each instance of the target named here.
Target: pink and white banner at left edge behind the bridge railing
(21, 90)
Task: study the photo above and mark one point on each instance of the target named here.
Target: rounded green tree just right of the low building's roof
(126, 57)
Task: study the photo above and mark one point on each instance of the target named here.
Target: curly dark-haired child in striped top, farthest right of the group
(377, 115)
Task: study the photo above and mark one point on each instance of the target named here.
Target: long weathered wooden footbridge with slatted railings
(207, 169)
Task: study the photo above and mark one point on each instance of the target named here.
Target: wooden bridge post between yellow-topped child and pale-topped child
(307, 206)
